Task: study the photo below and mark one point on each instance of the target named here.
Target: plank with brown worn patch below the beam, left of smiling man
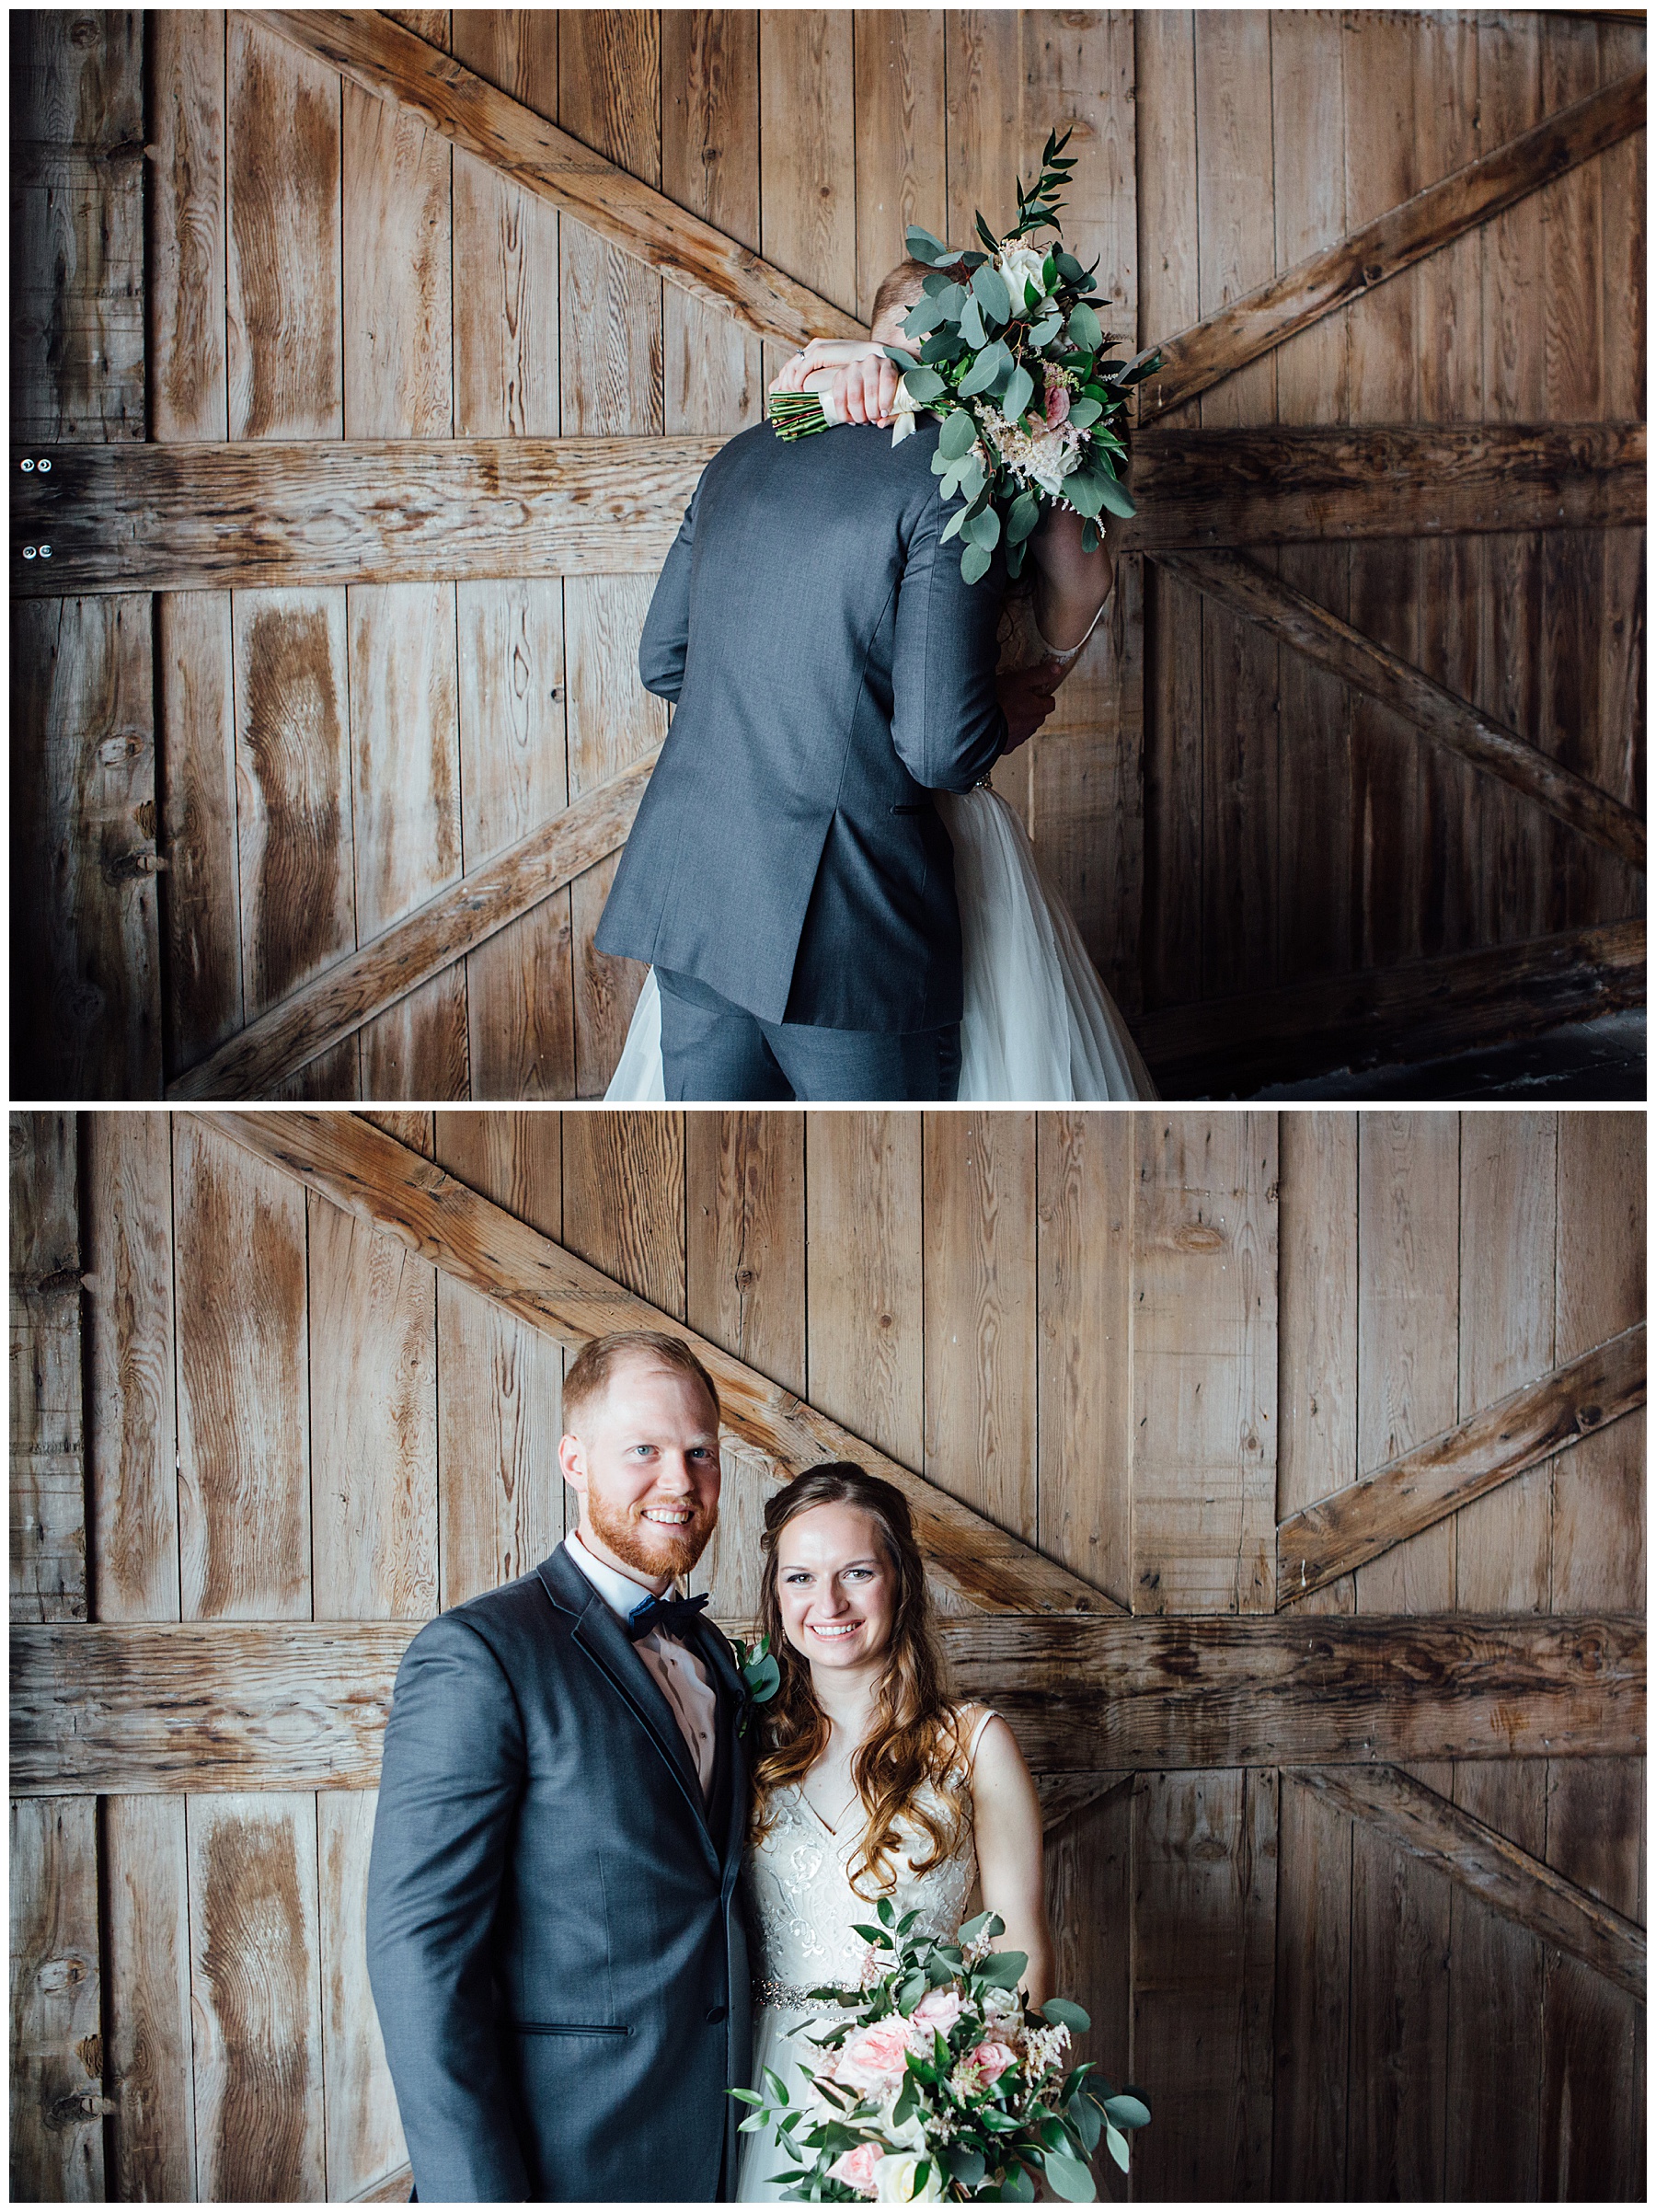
(255, 1999)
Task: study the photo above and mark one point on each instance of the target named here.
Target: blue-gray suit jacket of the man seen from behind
(830, 669)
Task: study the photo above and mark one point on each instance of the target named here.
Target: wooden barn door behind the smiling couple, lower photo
(1283, 1488)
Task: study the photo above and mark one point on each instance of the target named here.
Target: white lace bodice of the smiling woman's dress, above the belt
(801, 1897)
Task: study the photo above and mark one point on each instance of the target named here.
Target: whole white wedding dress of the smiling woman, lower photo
(801, 1910)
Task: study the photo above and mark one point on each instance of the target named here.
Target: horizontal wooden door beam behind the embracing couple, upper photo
(388, 512)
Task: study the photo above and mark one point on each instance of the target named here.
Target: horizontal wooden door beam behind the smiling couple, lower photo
(143, 1707)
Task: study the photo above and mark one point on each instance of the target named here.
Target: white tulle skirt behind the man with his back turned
(1036, 1025)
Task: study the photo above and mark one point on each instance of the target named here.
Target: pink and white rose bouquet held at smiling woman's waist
(943, 2083)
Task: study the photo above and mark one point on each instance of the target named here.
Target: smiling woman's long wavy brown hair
(912, 1762)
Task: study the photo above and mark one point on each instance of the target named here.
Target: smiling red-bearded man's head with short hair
(644, 1465)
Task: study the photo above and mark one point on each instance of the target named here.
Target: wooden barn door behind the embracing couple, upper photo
(441, 317)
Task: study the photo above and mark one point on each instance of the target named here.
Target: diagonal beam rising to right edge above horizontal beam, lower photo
(1434, 1481)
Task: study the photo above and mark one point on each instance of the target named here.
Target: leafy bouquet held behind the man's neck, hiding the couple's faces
(1016, 362)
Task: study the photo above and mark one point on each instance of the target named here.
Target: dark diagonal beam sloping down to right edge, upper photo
(1456, 724)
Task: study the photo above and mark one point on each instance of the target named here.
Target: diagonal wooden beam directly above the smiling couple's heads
(454, 1229)
